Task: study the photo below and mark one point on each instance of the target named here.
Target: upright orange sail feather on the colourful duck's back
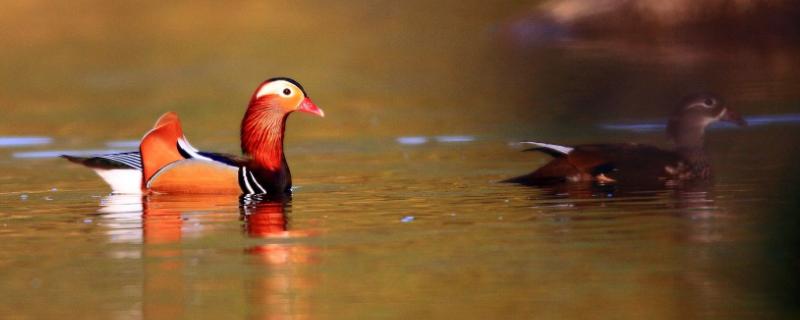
(158, 147)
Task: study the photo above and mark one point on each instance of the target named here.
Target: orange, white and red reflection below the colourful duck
(162, 224)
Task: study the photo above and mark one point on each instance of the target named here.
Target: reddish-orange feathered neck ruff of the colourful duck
(262, 138)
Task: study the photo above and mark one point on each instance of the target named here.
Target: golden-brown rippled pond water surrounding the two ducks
(397, 212)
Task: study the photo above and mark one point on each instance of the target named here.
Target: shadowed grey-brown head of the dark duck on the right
(686, 126)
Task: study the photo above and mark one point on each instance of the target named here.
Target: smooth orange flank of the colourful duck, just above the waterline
(195, 177)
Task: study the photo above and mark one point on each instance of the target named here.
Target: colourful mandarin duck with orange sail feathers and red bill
(167, 163)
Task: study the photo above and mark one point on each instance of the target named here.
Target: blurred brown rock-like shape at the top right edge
(649, 20)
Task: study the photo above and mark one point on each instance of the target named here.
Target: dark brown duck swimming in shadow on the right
(635, 163)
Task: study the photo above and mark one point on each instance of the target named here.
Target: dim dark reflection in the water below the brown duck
(687, 225)
